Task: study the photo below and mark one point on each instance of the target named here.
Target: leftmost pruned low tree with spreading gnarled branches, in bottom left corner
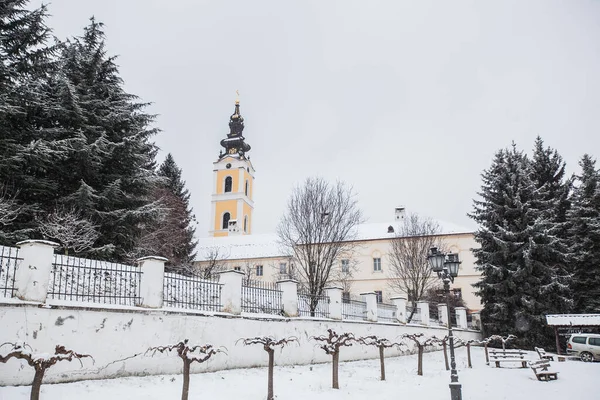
(40, 362)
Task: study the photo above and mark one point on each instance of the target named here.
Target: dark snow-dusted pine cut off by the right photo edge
(584, 230)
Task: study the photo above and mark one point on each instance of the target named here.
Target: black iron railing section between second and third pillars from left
(191, 292)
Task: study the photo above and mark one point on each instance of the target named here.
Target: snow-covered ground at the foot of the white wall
(358, 380)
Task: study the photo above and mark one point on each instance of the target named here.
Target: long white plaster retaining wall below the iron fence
(116, 334)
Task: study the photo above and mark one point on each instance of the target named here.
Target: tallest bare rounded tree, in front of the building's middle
(318, 228)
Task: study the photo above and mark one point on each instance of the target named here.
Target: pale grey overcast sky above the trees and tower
(405, 100)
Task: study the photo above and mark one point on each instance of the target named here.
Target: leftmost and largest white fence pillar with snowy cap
(33, 274)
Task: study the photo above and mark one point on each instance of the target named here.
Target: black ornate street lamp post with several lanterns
(446, 267)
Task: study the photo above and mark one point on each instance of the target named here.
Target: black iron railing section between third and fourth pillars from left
(261, 297)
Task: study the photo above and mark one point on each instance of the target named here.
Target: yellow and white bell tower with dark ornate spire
(233, 183)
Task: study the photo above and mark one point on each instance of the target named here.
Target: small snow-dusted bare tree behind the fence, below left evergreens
(71, 229)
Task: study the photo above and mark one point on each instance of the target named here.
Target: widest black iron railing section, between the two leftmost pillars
(85, 280)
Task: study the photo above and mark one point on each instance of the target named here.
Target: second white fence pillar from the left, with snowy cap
(152, 281)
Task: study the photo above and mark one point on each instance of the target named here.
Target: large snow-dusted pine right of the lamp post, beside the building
(520, 280)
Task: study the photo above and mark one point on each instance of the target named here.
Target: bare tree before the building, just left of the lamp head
(409, 272)
